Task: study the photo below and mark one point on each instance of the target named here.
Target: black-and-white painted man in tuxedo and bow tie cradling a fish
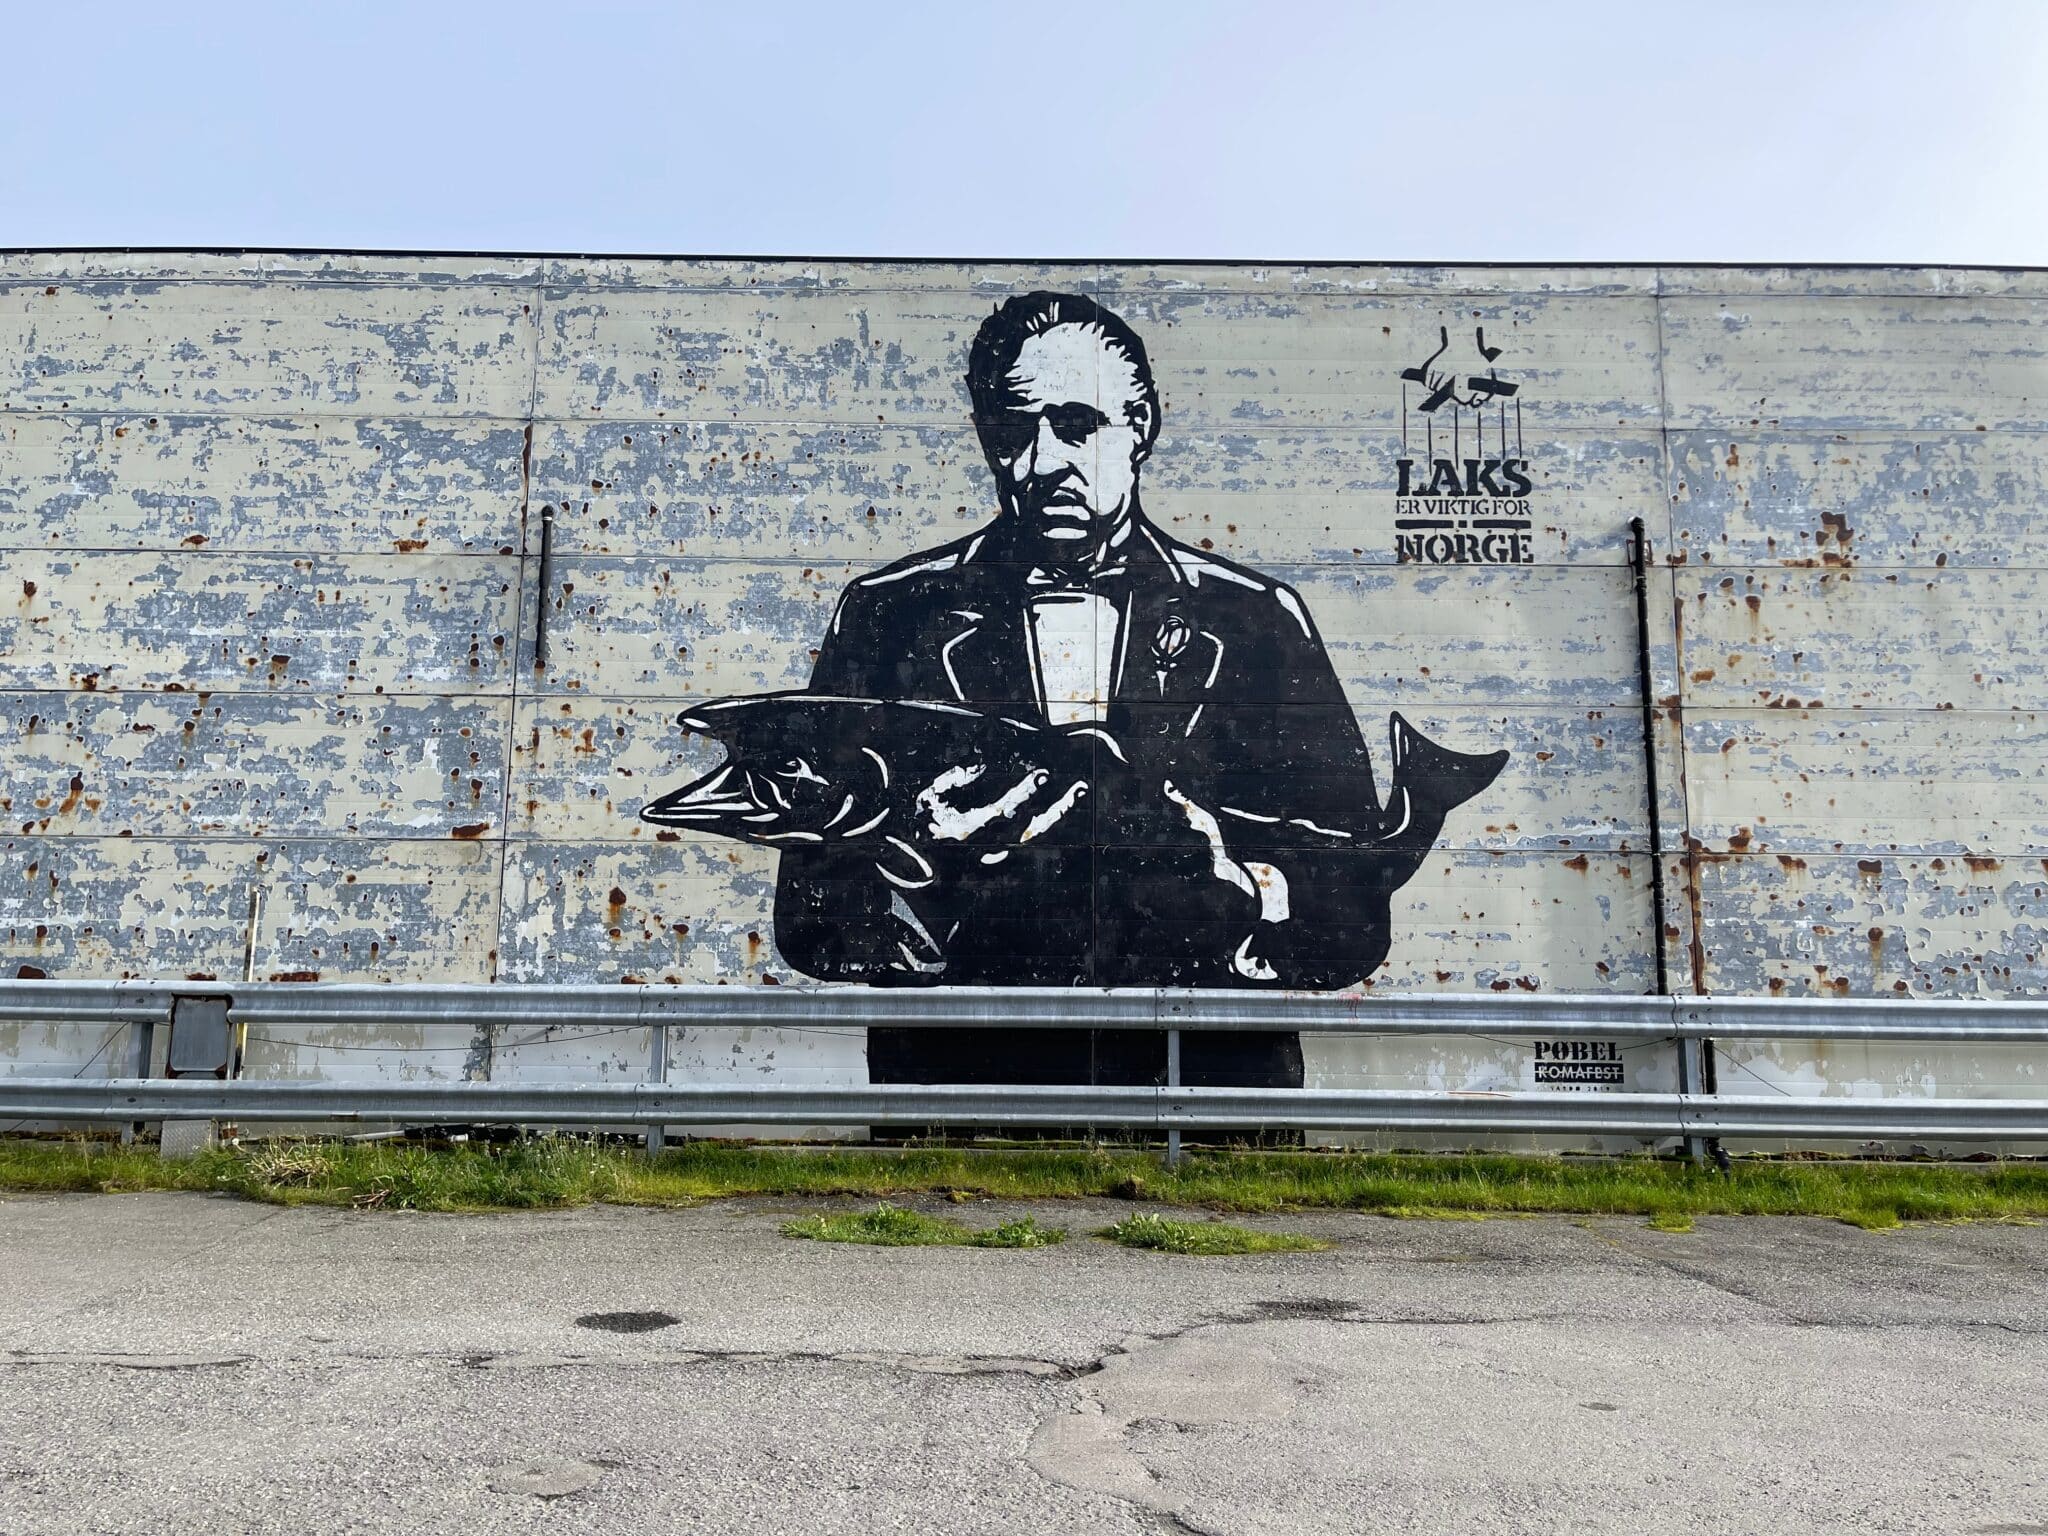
(1213, 820)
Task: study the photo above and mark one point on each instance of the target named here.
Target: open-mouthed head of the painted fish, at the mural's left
(792, 773)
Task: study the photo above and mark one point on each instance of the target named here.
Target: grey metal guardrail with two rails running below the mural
(1684, 1021)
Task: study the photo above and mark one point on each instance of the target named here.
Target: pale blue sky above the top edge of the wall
(1539, 130)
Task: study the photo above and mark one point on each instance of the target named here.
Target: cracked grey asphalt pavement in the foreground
(202, 1365)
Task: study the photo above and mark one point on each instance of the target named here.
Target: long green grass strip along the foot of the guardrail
(548, 1172)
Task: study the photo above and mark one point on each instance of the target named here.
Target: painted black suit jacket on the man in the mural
(1207, 853)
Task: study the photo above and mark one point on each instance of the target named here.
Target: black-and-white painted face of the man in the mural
(1070, 435)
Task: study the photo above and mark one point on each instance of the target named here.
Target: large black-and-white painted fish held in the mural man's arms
(808, 769)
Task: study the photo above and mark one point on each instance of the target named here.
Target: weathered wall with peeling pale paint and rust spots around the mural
(271, 589)
